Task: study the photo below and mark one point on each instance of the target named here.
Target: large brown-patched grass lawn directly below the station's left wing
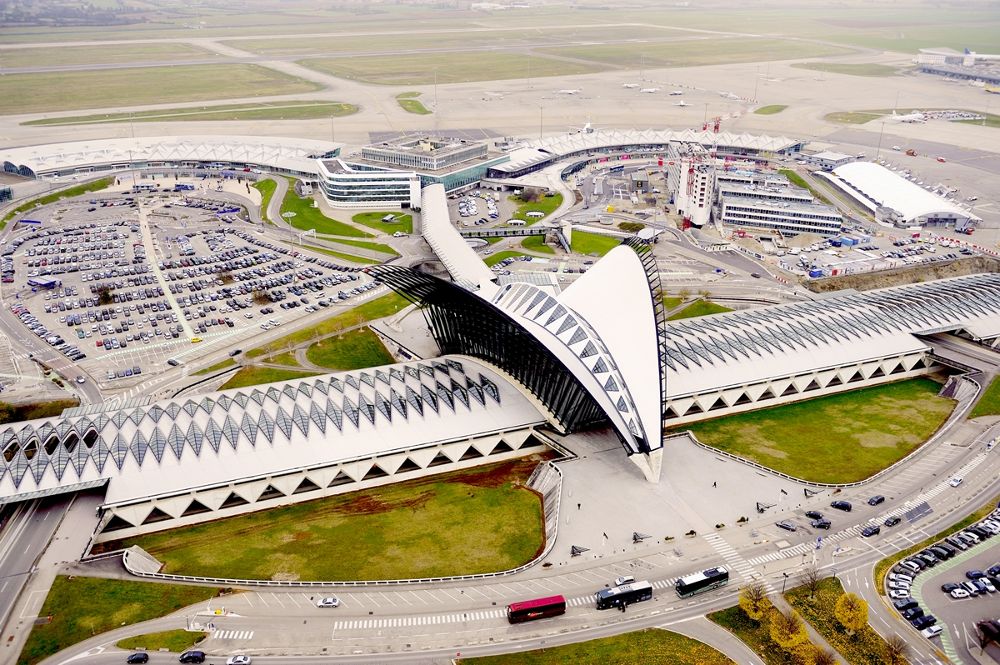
(471, 521)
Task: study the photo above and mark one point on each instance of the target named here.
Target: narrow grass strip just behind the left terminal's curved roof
(291, 110)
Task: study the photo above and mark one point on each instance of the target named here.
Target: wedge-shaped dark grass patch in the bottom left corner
(82, 607)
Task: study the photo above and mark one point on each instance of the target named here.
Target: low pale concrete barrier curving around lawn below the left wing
(547, 475)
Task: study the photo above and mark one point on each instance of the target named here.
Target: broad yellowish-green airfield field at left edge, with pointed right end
(68, 91)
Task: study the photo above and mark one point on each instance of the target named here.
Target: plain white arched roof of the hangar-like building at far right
(882, 187)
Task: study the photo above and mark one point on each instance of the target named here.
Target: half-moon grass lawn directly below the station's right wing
(839, 438)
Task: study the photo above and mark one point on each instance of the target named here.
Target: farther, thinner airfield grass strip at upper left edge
(100, 55)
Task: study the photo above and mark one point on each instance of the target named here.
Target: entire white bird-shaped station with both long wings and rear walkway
(518, 361)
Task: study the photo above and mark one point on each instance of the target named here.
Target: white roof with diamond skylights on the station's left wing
(175, 444)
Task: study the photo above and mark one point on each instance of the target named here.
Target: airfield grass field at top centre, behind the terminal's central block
(455, 67)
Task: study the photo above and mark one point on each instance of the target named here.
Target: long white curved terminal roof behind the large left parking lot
(281, 153)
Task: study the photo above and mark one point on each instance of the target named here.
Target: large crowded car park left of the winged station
(121, 285)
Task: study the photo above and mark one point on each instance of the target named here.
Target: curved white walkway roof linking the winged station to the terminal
(461, 261)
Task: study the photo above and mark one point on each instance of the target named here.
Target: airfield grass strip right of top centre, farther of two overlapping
(712, 51)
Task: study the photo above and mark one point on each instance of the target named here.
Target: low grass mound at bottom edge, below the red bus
(652, 645)
